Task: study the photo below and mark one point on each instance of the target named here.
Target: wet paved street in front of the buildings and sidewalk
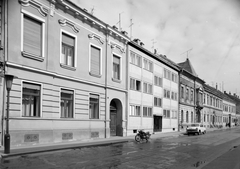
(194, 151)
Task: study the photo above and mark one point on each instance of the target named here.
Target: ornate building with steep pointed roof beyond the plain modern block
(191, 95)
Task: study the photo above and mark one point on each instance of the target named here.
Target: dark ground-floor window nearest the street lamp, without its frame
(31, 100)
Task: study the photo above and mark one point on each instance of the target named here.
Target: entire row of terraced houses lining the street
(79, 78)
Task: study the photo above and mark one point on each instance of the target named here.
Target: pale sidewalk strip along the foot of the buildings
(17, 151)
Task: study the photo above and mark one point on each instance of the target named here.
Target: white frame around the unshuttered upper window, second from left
(75, 50)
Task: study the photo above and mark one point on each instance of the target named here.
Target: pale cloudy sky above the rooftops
(205, 31)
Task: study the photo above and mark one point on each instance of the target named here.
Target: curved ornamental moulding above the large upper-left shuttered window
(42, 10)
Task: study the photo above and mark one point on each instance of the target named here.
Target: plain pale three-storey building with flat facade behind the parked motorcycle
(153, 92)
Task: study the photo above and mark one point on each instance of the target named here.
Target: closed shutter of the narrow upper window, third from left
(95, 60)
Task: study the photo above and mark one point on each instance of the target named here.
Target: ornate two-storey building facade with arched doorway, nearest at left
(72, 81)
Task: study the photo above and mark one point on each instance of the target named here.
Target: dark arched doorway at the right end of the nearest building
(116, 118)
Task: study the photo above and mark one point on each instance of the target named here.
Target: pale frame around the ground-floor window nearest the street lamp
(41, 99)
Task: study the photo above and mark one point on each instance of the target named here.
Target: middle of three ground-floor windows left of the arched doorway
(66, 103)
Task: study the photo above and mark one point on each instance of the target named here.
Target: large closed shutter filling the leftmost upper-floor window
(32, 39)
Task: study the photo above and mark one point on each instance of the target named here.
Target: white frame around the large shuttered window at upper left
(29, 55)
